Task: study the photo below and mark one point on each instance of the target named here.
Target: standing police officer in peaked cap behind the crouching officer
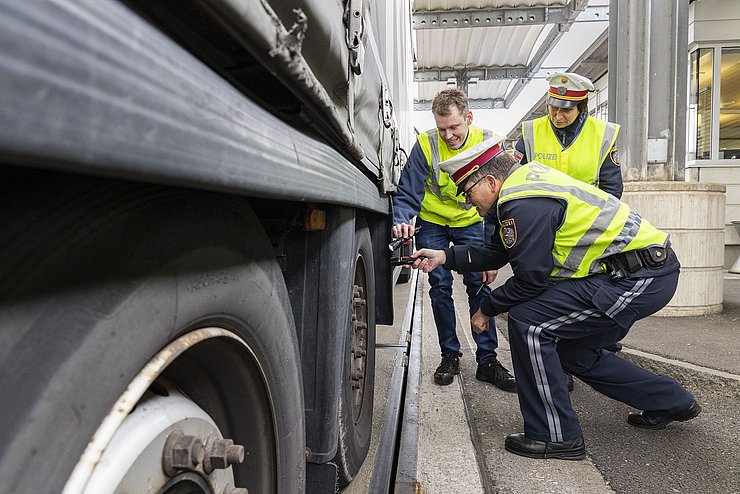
(571, 141)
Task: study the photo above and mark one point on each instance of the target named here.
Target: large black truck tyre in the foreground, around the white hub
(99, 276)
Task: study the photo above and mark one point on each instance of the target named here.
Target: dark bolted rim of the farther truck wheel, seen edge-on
(358, 379)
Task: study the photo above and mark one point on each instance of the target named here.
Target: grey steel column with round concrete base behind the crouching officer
(648, 96)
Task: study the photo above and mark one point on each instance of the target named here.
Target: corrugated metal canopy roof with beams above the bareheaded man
(490, 48)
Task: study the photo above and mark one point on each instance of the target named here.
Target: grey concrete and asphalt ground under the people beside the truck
(462, 426)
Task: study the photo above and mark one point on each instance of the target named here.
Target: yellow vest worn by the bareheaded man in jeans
(441, 204)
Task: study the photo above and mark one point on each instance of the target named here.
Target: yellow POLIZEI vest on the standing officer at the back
(585, 155)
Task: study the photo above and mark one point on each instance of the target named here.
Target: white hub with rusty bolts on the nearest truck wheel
(134, 452)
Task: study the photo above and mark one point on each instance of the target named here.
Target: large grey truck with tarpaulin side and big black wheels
(195, 228)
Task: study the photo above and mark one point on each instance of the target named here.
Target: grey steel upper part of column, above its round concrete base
(648, 90)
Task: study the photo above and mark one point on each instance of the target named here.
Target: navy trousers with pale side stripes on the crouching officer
(567, 327)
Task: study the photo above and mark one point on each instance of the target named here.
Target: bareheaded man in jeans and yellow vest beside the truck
(442, 218)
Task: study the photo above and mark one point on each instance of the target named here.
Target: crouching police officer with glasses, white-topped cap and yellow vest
(586, 267)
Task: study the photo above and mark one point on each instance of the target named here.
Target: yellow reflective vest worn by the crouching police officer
(596, 224)
